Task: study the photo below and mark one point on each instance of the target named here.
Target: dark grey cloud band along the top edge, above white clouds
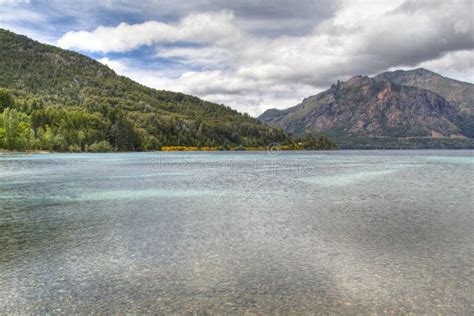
(264, 17)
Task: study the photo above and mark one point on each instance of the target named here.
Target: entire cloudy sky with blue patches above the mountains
(251, 54)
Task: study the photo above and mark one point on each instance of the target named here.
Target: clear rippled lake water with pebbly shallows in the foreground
(343, 231)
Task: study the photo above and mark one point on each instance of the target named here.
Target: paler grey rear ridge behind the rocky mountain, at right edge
(457, 92)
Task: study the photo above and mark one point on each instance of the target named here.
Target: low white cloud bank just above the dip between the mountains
(252, 97)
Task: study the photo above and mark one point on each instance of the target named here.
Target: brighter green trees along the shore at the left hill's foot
(28, 124)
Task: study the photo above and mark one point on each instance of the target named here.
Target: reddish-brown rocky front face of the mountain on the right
(372, 107)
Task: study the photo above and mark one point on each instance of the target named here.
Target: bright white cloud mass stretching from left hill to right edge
(254, 72)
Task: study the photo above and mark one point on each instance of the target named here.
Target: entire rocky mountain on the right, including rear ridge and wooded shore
(399, 109)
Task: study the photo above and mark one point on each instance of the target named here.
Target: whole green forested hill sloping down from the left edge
(62, 100)
